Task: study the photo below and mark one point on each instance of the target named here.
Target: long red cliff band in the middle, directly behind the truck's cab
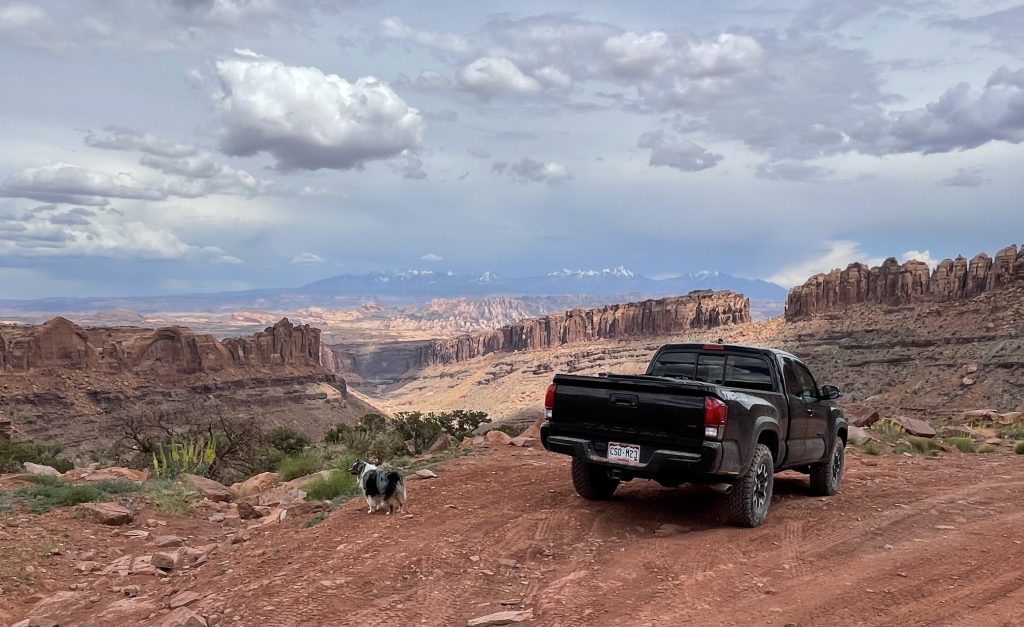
(699, 310)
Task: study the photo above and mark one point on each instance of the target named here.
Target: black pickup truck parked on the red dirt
(718, 414)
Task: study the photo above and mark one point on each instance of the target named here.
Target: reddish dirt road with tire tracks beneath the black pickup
(909, 541)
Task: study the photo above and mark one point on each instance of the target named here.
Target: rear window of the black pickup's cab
(747, 372)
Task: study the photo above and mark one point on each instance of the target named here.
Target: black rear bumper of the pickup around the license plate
(715, 462)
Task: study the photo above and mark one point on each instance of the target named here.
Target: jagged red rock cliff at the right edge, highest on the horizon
(895, 284)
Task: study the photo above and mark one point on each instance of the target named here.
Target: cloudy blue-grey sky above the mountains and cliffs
(181, 146)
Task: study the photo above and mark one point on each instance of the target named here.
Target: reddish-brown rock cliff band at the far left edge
(61, 345)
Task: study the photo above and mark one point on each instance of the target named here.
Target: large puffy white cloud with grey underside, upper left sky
(307, 119)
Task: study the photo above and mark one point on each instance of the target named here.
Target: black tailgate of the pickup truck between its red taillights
(641, 410)
